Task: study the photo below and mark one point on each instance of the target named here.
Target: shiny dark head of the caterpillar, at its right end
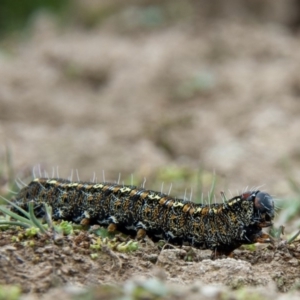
(263, 205)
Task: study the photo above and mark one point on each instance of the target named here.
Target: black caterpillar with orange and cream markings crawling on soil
(221, 227)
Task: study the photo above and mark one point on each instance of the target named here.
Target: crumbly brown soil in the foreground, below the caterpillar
(59, 267)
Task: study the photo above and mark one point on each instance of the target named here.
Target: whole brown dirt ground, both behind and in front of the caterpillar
(130, 95)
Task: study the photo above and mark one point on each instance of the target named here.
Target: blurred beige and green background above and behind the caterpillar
(165, 90)
